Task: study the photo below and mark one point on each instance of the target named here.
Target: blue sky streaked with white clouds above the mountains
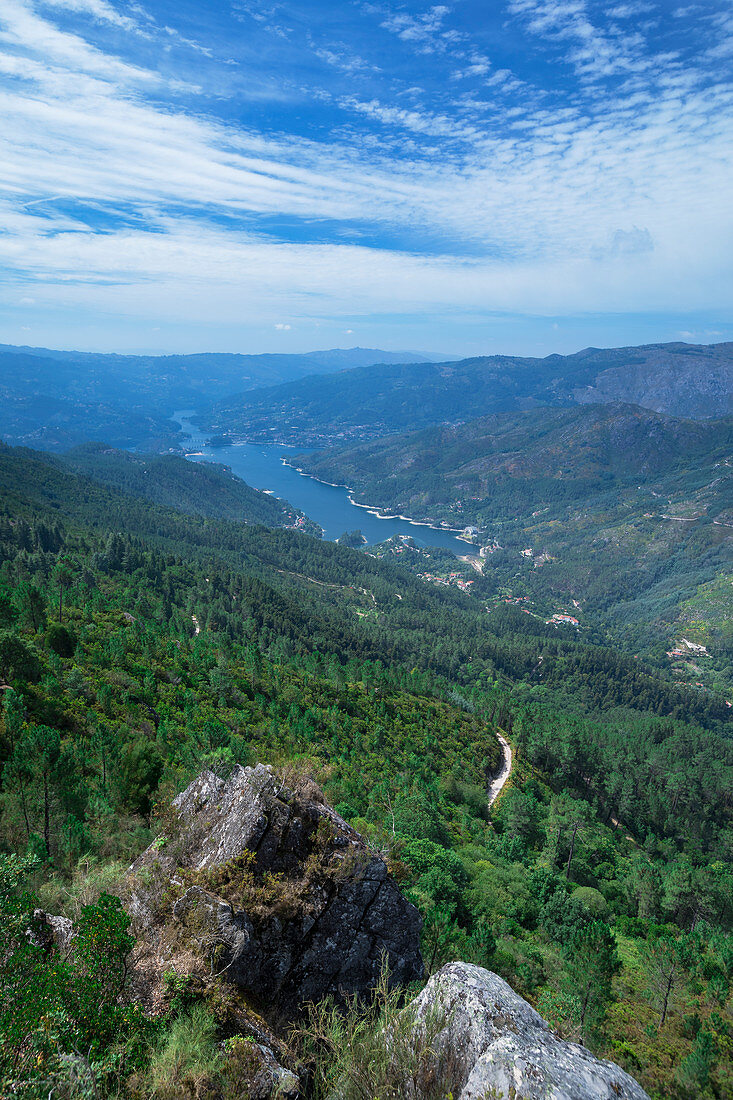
(477, 177)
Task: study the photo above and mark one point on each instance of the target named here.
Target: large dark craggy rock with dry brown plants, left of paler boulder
(275, 893)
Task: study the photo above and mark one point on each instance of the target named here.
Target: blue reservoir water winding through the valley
(261, 466)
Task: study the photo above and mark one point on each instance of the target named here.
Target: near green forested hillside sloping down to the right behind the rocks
(140, 644)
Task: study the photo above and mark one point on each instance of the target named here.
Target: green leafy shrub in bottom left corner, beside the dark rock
(61, 1021)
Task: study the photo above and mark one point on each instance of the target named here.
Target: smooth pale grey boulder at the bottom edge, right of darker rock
(495, 1041)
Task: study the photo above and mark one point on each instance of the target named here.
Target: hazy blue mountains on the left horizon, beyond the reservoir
(56, 400)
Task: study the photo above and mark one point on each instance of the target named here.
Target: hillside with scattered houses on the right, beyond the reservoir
(614, 514)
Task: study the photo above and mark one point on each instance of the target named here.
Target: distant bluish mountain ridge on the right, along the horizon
(360, 404)
